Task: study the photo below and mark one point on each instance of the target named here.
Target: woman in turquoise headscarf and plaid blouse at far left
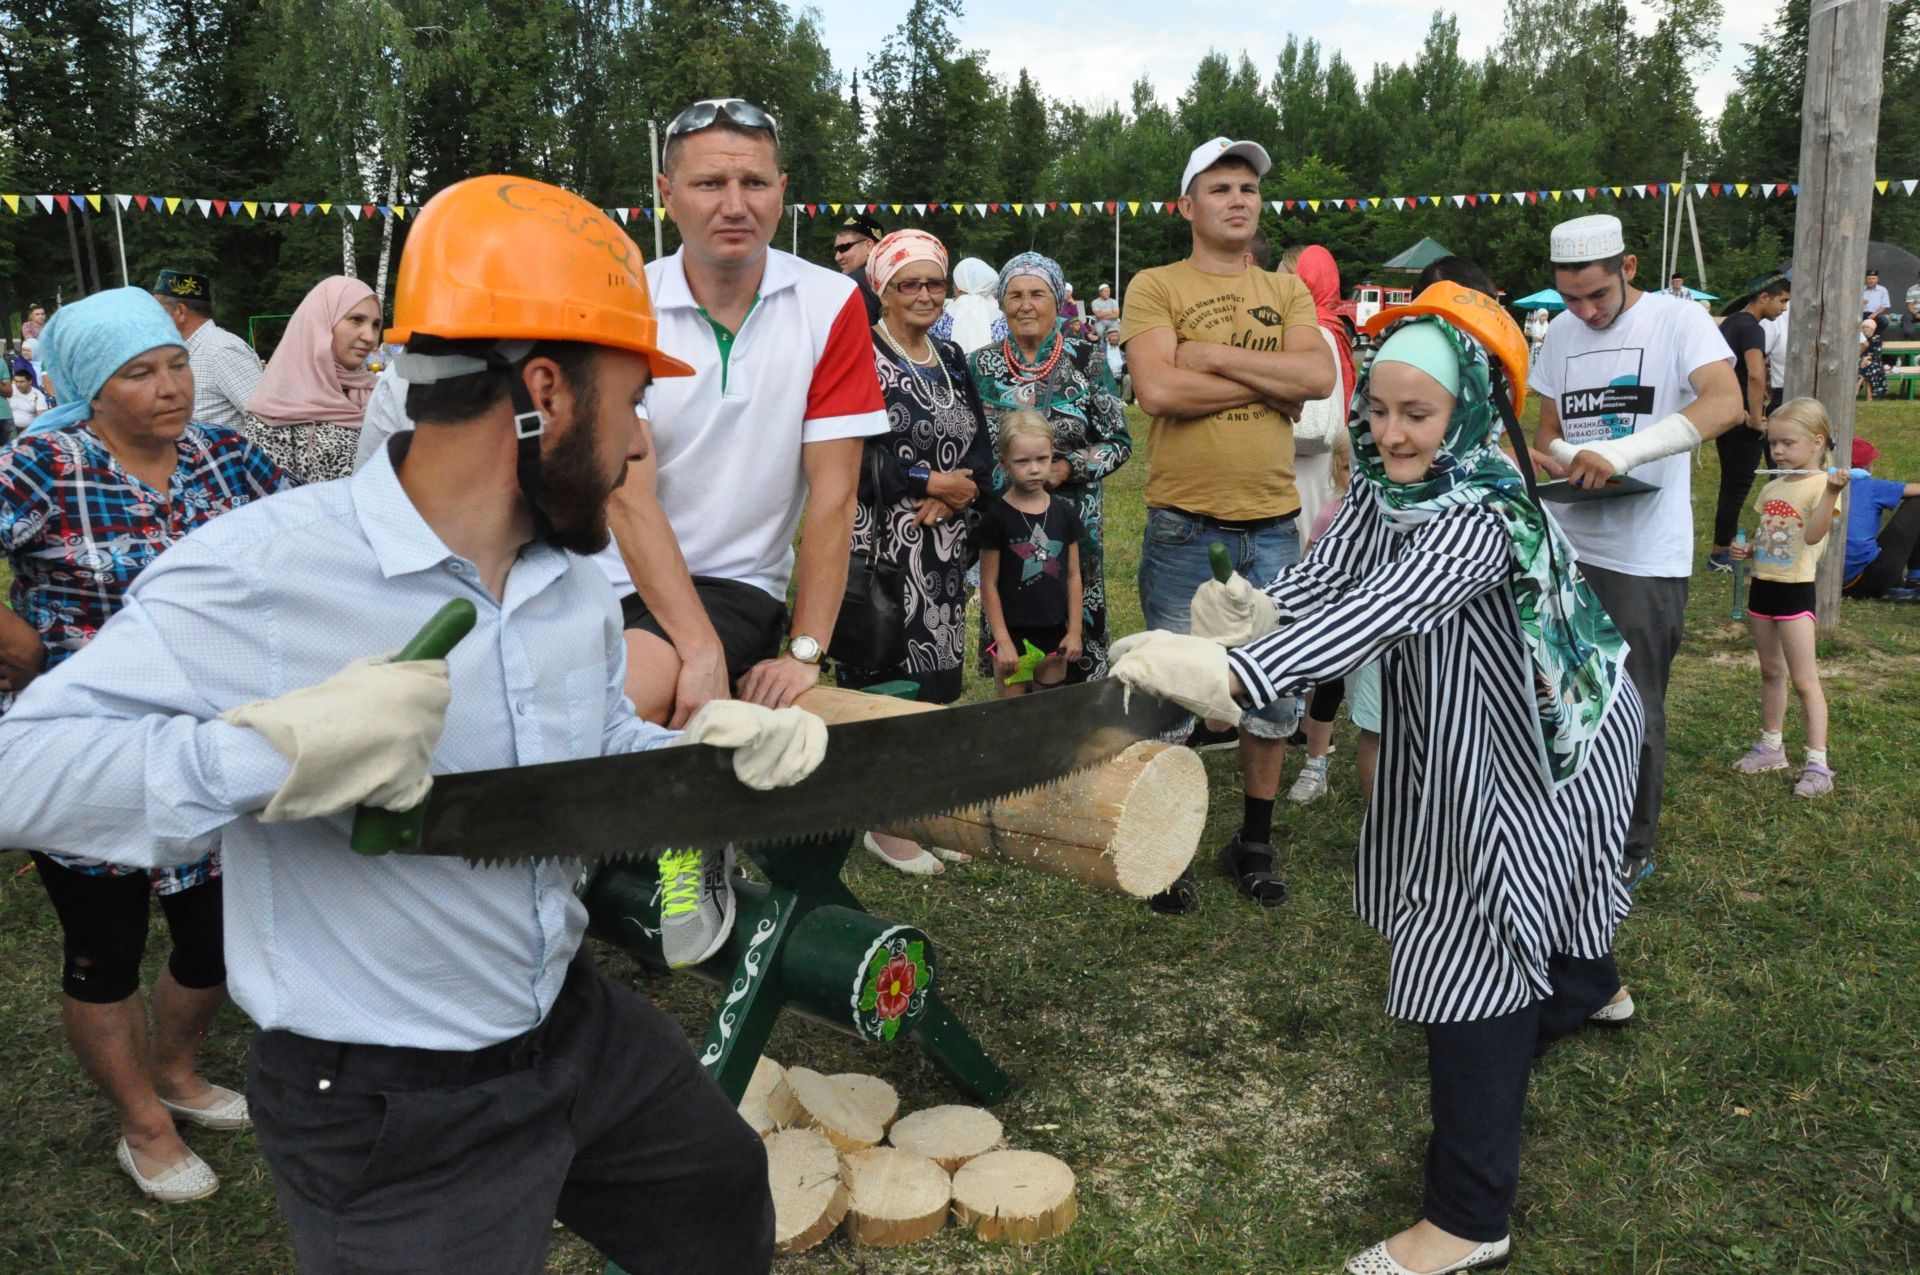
(93, 494)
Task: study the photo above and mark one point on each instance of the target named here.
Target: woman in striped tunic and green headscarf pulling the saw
(1508, 759)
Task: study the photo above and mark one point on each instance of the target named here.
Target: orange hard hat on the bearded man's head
(510, 258)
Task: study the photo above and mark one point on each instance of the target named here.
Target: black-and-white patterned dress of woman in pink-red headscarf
(934, 560)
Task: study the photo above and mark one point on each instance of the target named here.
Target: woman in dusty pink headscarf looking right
(314, 395)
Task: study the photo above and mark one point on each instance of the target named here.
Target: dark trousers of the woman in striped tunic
(1477, 1074)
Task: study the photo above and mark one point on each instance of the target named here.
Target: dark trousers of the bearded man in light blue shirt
(425, 1163)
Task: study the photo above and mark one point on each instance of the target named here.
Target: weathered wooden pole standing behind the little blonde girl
(1840, 126)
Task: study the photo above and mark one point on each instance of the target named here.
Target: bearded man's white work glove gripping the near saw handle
(366, 736)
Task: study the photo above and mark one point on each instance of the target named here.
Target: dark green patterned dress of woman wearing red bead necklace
(1092, 433)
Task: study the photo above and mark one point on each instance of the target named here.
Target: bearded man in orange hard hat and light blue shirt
(441, 1072)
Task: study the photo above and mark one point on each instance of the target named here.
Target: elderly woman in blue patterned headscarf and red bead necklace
(1040, 366)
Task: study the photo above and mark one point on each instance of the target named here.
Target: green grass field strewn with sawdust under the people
(1226, 1084)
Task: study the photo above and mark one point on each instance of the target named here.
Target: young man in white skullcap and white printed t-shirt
(1633, 381)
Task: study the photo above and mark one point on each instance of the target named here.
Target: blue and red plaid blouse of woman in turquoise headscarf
(78, 529)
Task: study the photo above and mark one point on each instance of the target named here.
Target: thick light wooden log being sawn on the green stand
(1130, 825)
